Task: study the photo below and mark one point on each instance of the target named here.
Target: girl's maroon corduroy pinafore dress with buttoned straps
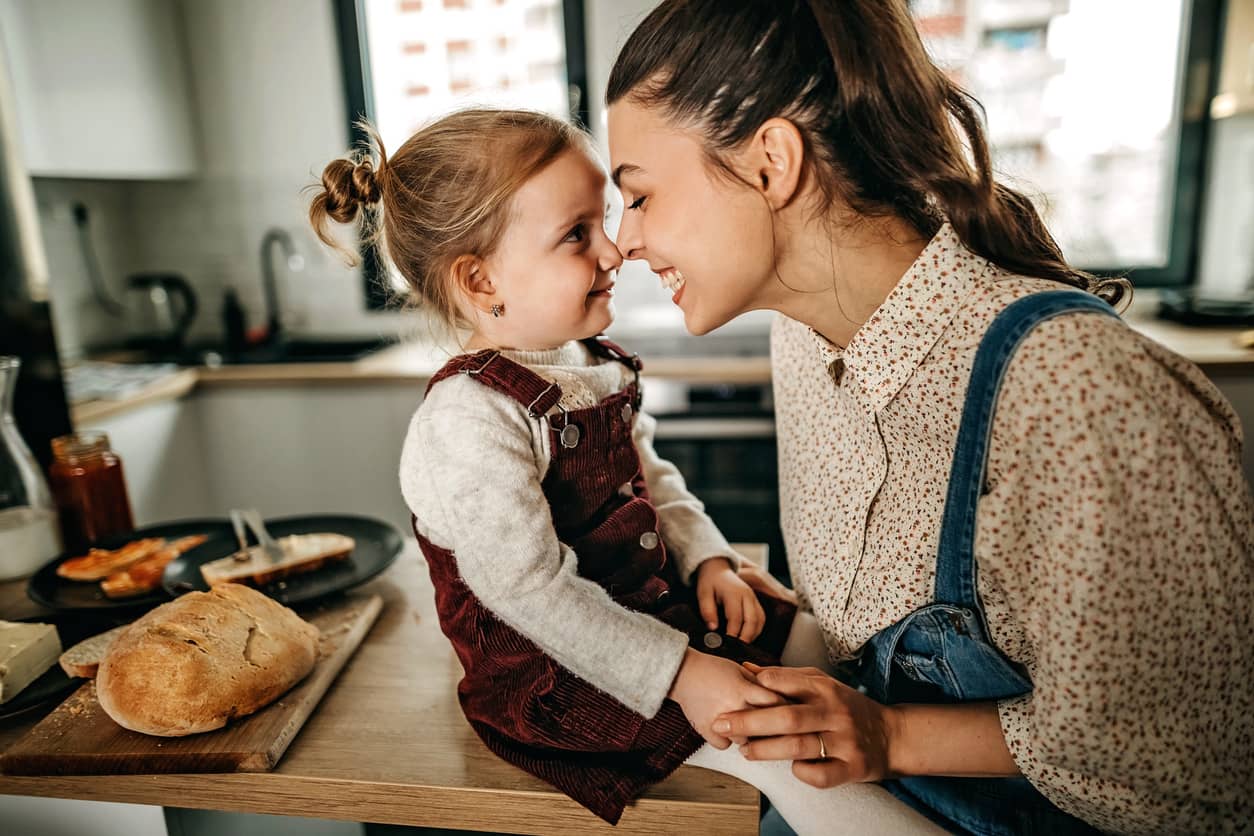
(527, 709)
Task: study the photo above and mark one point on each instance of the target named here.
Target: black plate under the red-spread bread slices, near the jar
(58, 593)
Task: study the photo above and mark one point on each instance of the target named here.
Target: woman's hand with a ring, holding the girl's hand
(857, 731)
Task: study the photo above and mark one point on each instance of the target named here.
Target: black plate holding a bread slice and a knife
(377, 547)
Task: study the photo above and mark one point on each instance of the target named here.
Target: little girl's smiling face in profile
(555, 268)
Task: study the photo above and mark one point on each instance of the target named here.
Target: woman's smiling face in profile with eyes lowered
(682, 215)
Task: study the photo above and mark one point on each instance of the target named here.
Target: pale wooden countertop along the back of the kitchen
(1220, 352)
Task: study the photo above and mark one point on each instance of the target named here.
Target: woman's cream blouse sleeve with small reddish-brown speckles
(1120, 531)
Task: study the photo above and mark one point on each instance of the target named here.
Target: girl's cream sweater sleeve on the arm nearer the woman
(690, 536)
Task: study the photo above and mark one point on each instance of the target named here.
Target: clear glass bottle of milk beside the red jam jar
(28, 517)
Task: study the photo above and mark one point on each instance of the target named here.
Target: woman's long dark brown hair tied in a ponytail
(888, 131)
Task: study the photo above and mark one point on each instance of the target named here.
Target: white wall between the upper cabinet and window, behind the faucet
(269, 97)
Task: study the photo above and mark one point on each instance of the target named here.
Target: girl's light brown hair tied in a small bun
(445, 194)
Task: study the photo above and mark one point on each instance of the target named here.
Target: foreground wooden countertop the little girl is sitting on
(389, 745)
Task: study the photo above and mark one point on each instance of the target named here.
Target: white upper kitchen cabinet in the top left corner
(101, 90)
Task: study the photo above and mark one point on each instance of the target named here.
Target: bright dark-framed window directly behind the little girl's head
(408, 62)
